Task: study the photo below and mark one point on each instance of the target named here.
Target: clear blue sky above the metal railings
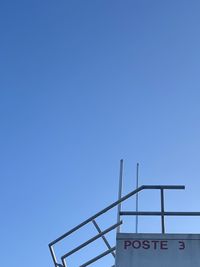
(82, 85)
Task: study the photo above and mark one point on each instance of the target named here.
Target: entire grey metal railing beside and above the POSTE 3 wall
(101, 234)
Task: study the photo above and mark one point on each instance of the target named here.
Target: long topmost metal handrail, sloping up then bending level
(143, 187)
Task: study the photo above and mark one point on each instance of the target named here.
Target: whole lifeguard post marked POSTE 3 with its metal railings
(137, 249)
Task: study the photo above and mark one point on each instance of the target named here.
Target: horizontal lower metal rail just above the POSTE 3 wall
(158, 213)
